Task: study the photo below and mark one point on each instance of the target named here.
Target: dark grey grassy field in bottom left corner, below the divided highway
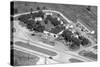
(22, 58)
